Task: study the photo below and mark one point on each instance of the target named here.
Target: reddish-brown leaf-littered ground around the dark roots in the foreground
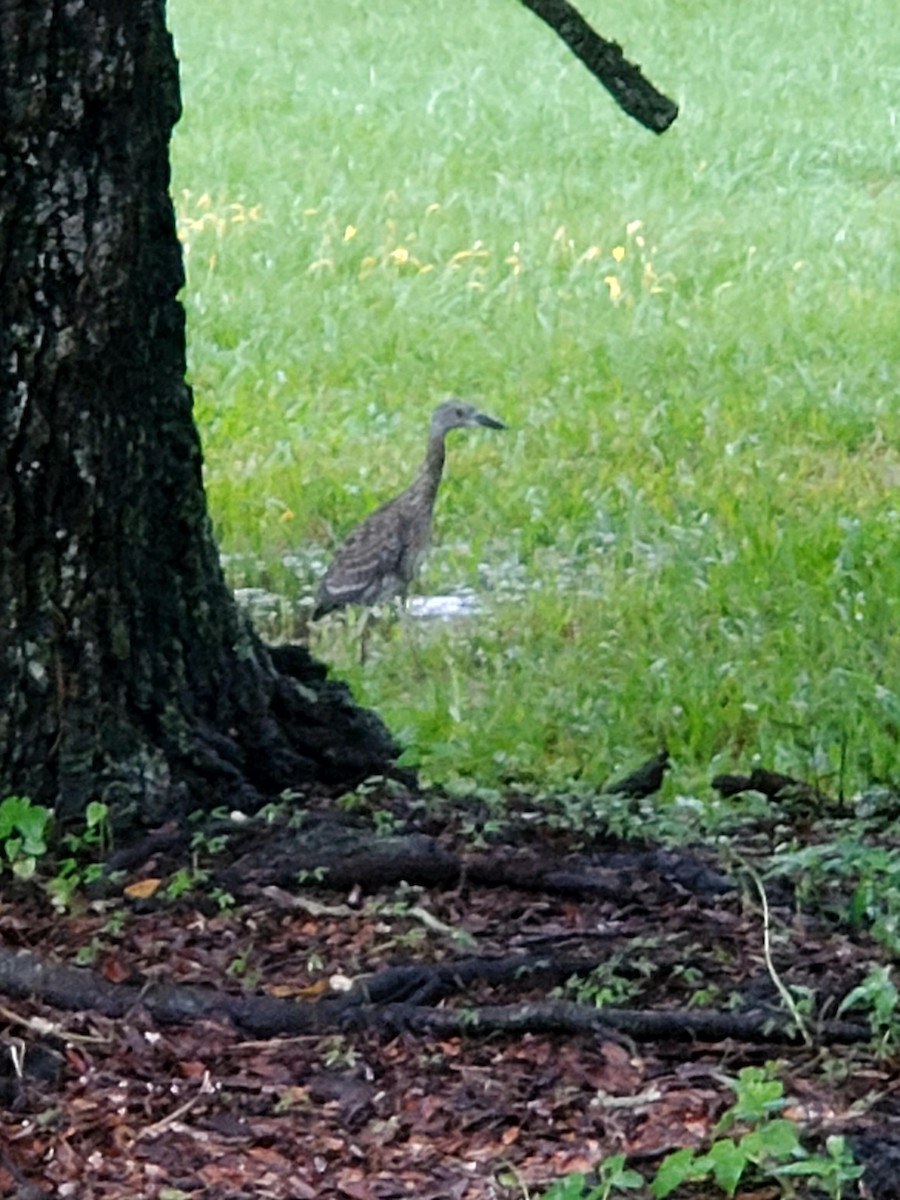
(115, 1108)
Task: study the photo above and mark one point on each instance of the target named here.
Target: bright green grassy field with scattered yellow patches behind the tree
(691, 533)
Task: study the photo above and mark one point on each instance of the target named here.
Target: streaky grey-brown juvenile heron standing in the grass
(382, 556)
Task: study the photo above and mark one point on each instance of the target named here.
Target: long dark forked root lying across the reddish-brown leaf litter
(379, 1004)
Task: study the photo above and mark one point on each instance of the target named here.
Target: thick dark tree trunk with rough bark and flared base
(128, 675)
